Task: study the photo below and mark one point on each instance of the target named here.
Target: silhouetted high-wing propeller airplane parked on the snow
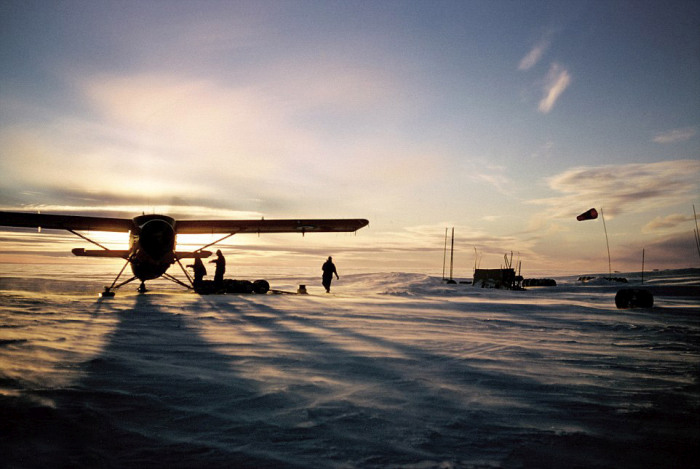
(152, 238)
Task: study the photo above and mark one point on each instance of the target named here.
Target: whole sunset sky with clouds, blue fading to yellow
(502, 119)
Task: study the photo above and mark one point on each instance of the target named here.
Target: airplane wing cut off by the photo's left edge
(65, 222)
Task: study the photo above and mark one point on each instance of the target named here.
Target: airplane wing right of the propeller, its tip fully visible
(269, 226)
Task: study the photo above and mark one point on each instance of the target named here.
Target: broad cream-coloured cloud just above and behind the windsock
(634, 187)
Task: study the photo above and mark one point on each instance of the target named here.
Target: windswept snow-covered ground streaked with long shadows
(390, 370)
